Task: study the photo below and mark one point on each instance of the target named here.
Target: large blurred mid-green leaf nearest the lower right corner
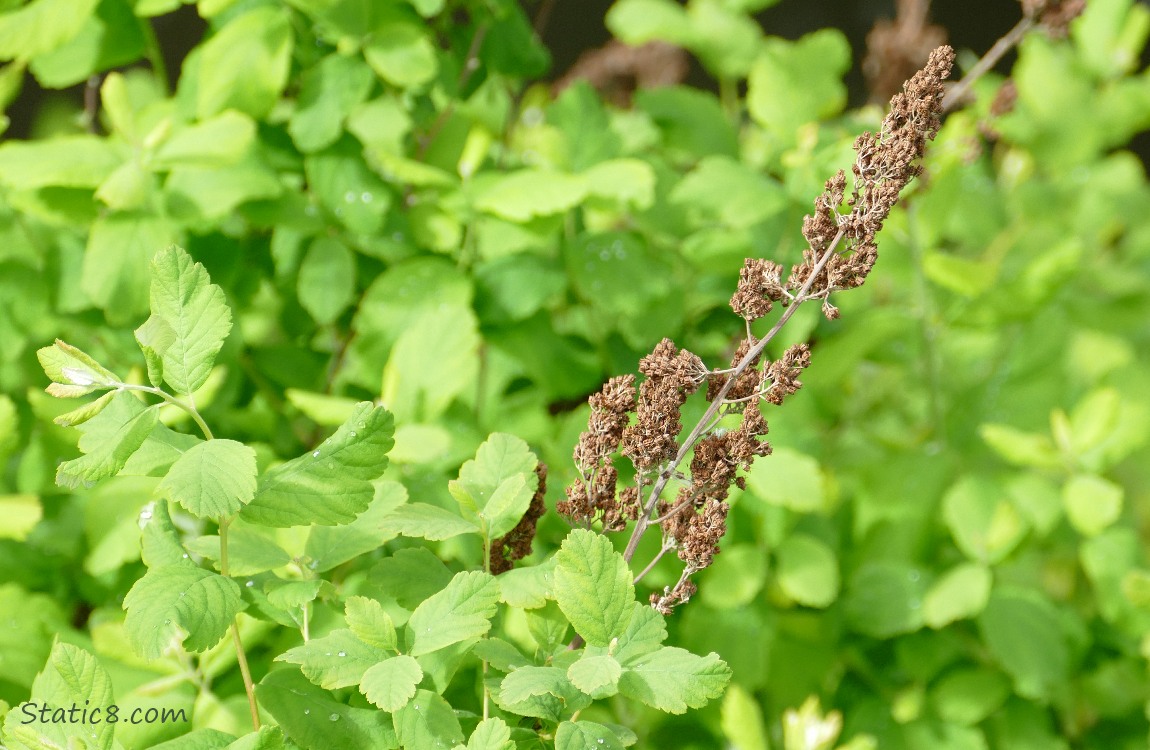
(1024, 632)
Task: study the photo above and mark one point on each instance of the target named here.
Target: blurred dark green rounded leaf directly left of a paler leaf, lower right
(885, 600)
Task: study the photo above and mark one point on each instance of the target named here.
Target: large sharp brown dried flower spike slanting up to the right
(840, 256)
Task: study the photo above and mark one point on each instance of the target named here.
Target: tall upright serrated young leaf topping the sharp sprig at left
(186, 302)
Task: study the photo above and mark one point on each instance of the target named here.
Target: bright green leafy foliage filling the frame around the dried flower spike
(374, 272)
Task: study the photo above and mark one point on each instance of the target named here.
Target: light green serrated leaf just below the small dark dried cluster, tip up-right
(462, 611)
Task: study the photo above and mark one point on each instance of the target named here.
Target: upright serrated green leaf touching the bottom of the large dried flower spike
(594, 587)
